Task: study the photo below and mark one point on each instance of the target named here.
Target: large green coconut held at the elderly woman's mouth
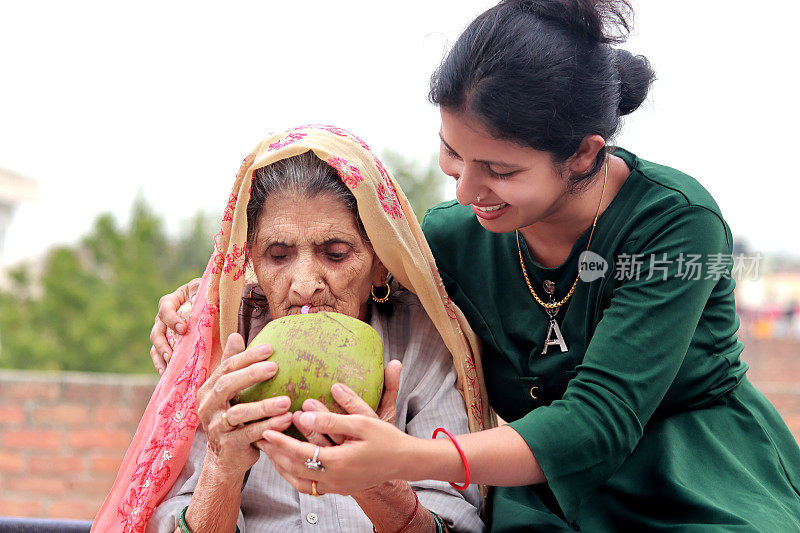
(313, 351)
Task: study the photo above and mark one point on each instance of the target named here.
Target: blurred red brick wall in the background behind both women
(62, 436)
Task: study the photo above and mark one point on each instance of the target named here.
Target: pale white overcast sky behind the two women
(100, 99)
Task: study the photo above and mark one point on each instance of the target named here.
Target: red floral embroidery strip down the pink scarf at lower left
(178, 422)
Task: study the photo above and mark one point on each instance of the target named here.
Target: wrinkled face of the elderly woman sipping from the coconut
(308, 251)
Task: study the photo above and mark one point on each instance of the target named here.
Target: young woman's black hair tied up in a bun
(543, 74)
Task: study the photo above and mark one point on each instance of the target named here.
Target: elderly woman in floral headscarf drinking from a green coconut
(321, 223)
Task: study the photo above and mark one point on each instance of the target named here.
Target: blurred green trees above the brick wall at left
(91, 307)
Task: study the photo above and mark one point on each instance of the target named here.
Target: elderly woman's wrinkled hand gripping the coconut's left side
(231, 430)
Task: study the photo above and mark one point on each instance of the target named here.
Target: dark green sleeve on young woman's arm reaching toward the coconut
(630, 362)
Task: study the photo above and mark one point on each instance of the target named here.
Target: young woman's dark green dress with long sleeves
(647, 422)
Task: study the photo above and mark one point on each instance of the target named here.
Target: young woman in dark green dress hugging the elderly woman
(600, 286)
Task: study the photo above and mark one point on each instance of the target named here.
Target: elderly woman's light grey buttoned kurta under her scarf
(427, 399)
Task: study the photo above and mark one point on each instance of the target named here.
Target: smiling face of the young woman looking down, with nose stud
(517, 185)
